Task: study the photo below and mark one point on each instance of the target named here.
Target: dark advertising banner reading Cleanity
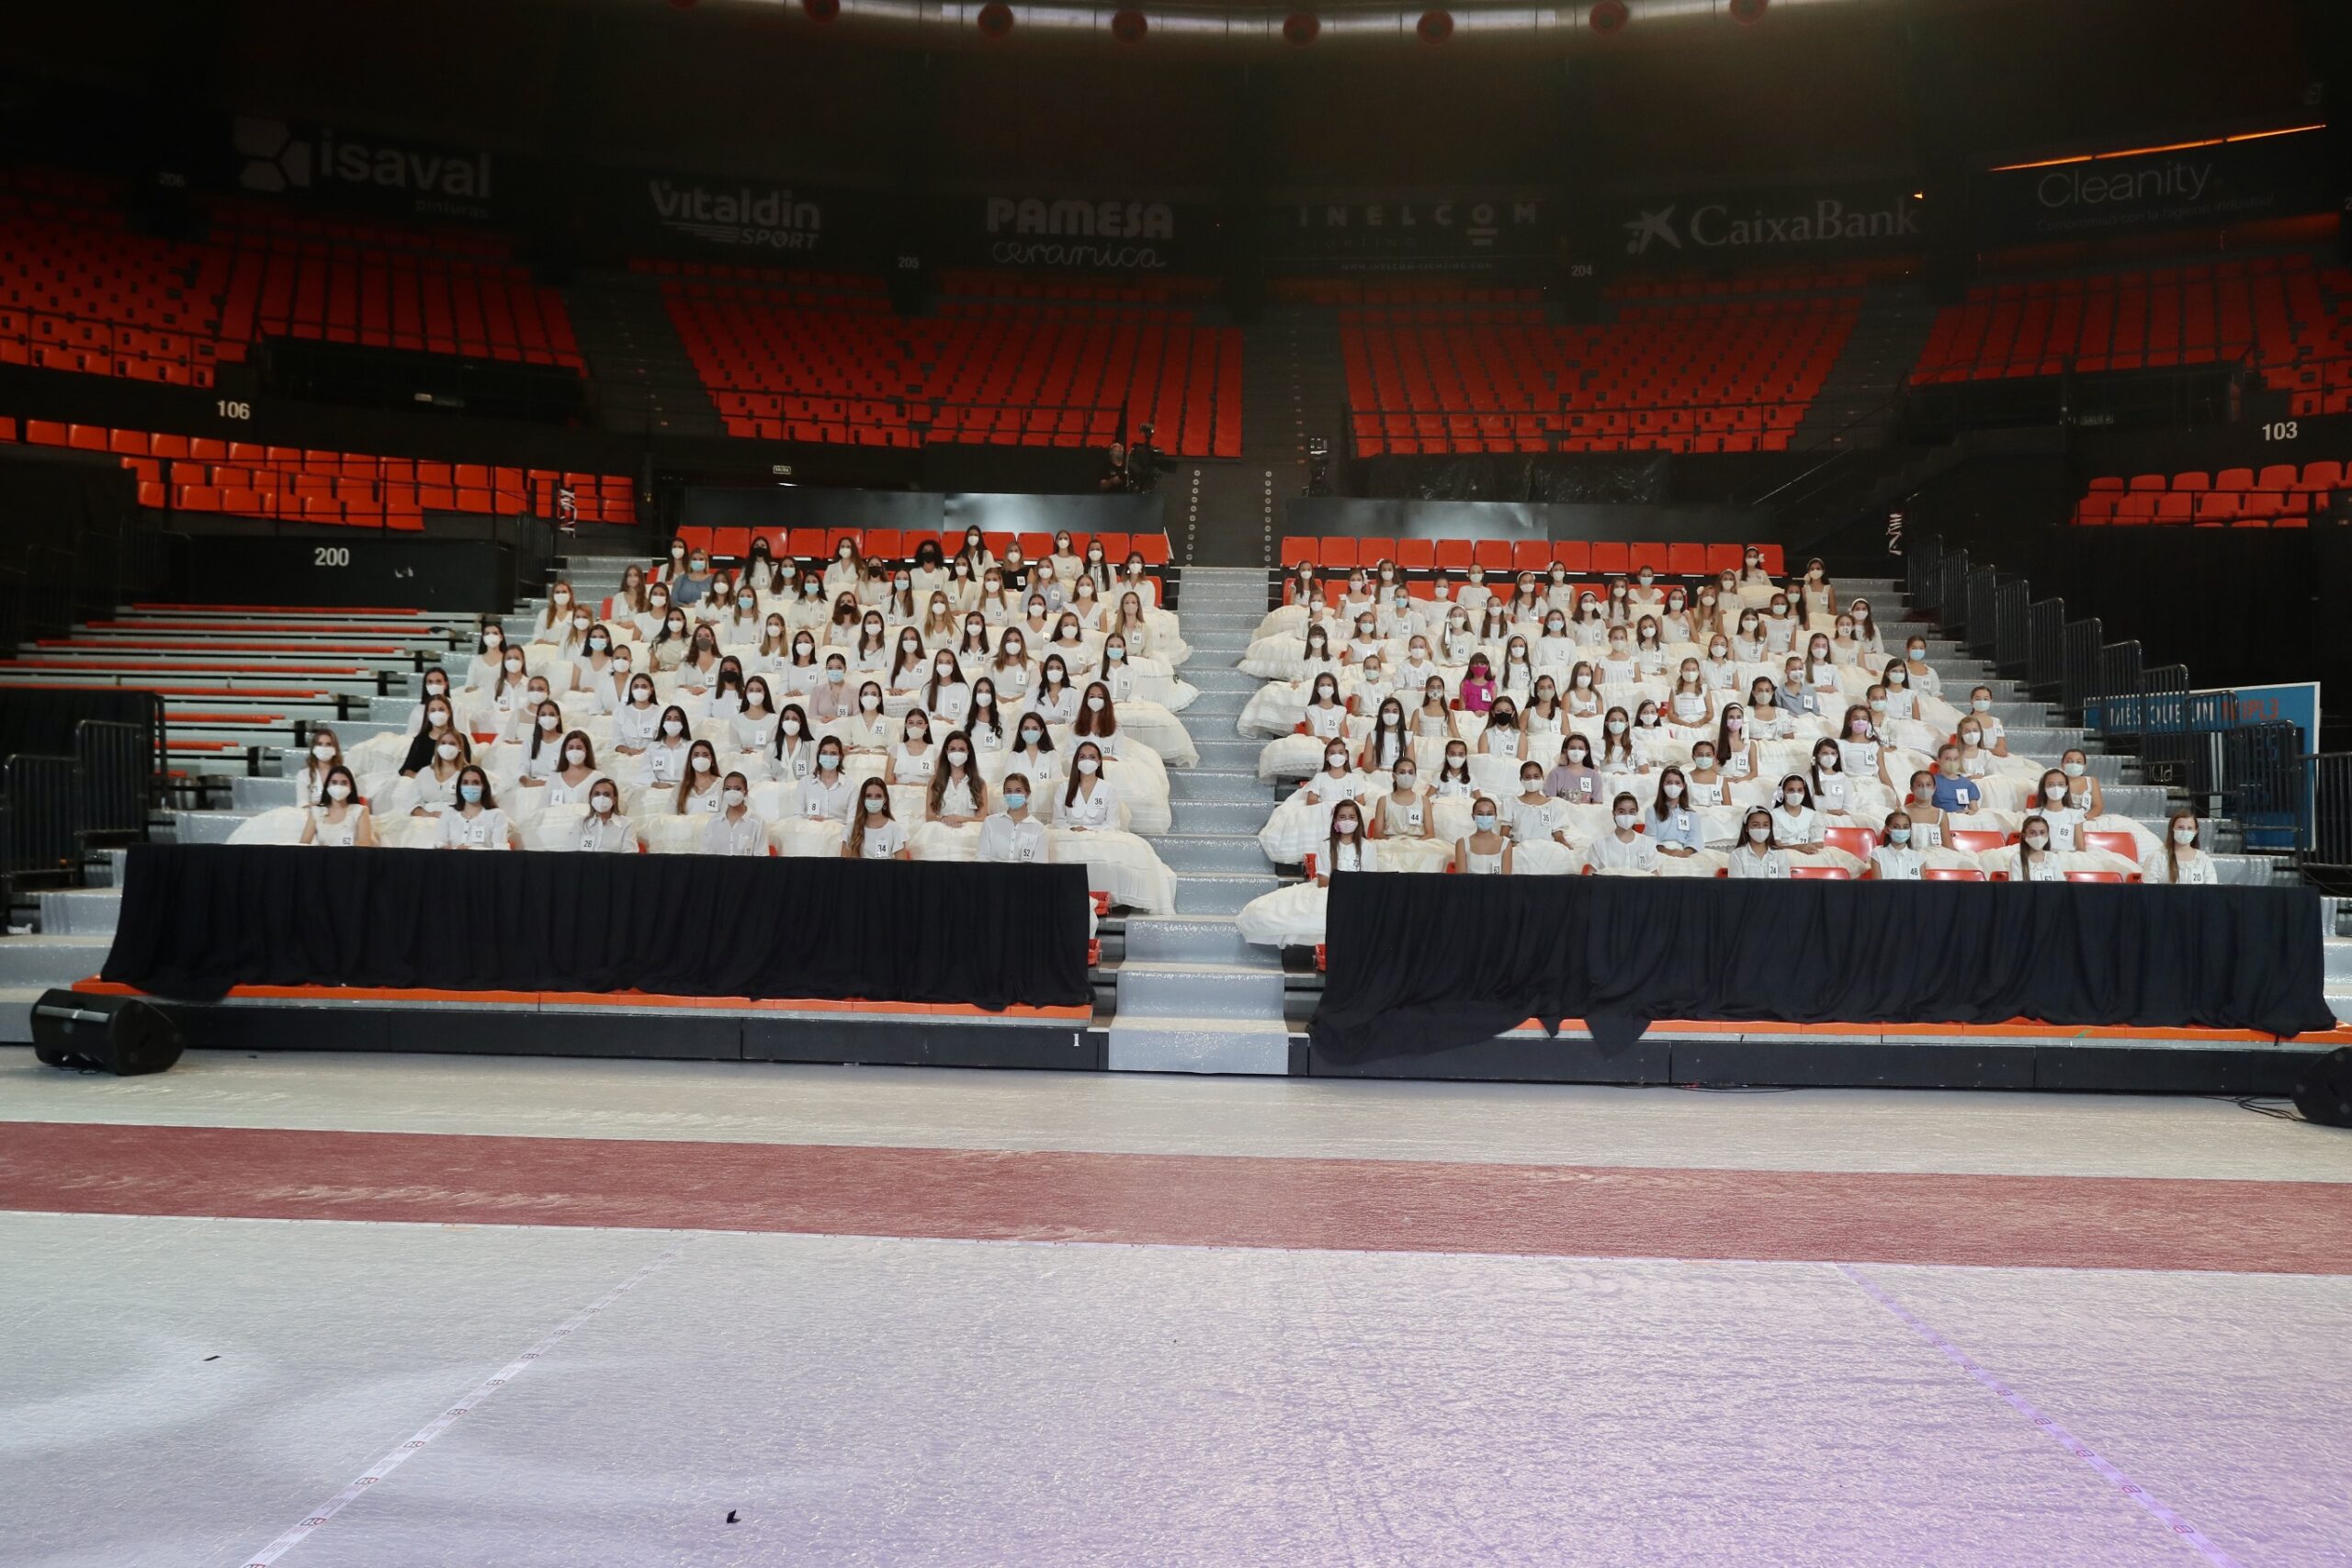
(2207, 187)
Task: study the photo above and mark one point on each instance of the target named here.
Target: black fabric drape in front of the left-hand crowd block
(203, 918)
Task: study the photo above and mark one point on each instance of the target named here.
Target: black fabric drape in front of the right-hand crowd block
(1422, 963)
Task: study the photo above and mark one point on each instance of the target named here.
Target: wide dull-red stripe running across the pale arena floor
(1187, 1200)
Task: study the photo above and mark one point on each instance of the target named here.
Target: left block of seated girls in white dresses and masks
(784, 711)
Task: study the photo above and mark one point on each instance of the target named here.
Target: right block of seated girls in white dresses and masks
(1749, 728)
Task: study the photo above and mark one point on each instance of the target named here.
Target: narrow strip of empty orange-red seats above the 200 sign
(196, 474)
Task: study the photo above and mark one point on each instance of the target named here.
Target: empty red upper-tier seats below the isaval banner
(86, 293)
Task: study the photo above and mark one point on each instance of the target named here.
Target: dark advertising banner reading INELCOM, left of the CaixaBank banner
(1464, 234)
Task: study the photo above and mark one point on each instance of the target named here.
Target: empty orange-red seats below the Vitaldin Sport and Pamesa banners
(794, 363)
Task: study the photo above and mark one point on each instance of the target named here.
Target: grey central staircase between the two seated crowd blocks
(1191, 993)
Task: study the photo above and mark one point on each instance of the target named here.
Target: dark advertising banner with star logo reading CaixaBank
(1749, 227)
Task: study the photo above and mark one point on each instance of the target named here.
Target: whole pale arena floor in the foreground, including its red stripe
(455, 1311)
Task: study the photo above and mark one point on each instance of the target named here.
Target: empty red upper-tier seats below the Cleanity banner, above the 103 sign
(2283, 311)
